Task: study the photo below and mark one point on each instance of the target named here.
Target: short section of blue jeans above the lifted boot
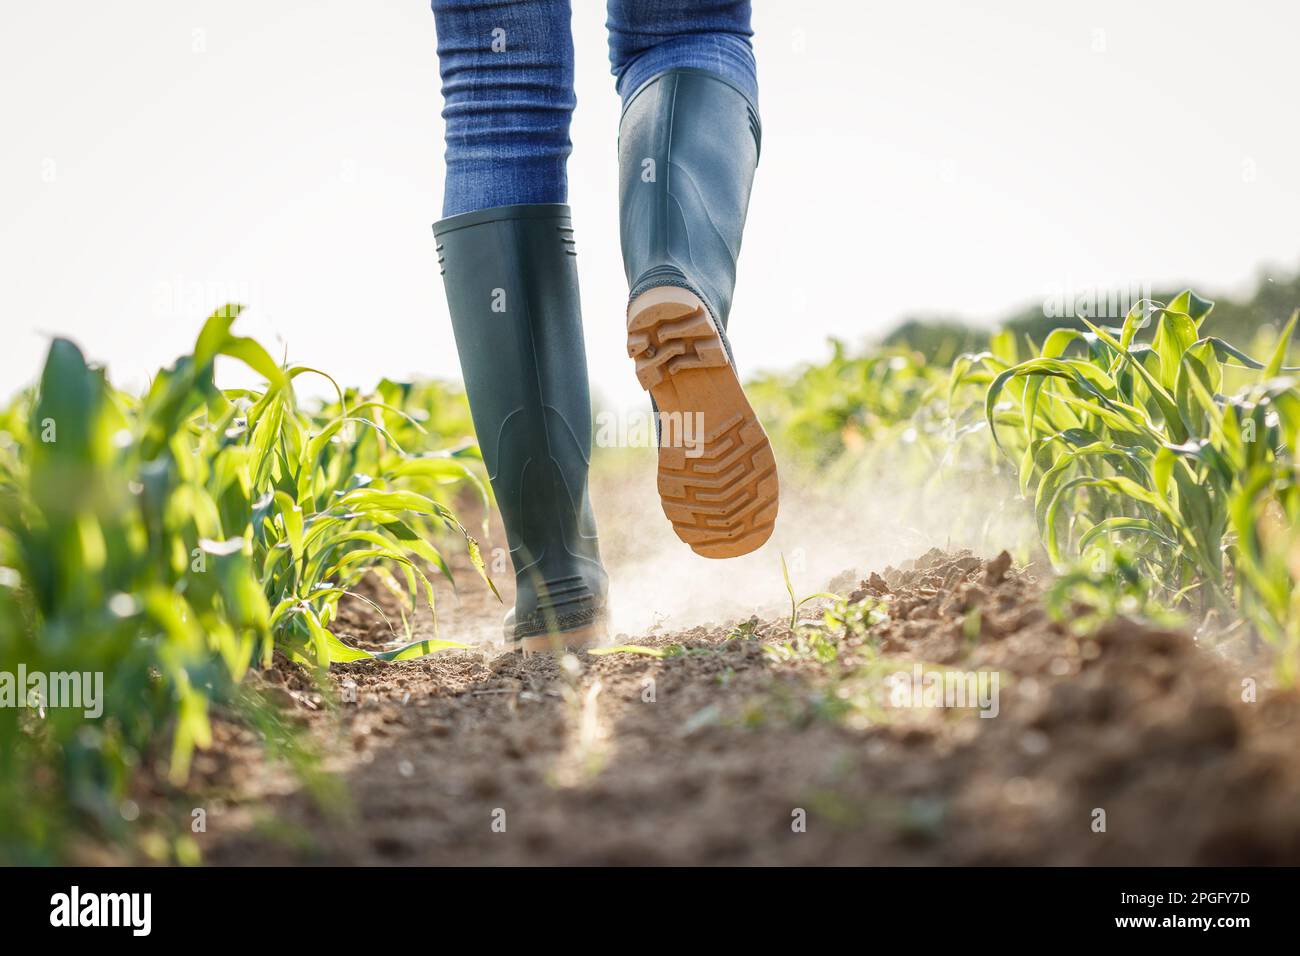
(653, 37)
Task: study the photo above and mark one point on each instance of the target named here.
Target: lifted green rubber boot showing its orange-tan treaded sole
(688, 146)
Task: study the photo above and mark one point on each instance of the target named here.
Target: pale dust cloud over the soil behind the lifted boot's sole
(876, 520)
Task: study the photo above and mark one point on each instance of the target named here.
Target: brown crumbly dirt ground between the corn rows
(744, 743)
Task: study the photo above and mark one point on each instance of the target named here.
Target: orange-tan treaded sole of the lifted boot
(720, 490)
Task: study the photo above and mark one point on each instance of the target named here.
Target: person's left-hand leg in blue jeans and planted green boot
(506, 250)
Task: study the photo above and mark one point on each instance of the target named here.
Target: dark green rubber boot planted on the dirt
(512, 282)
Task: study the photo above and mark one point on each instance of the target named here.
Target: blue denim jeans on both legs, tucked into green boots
(508, 83)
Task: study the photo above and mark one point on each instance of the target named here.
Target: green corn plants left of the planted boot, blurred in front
(171, 542)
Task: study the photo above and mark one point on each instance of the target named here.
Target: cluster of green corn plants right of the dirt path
(1134, 442)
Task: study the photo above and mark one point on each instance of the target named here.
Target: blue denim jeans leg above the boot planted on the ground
(508, 88)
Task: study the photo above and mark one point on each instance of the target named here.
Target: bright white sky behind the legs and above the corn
(161, 157)
